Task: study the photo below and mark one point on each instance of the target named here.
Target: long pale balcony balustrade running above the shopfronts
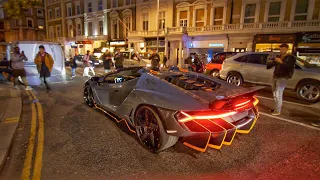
(255, 28)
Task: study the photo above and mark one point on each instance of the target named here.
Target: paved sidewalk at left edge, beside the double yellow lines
(10, 112)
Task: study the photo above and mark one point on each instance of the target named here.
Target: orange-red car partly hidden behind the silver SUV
(215, 65)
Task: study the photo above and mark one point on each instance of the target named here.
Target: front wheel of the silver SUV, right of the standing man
(305, 89)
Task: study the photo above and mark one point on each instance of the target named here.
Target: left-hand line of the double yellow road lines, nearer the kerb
(29, 153)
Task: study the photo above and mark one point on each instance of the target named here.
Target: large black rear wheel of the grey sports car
(161, 140)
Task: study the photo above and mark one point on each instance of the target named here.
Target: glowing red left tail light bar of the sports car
(201, 115)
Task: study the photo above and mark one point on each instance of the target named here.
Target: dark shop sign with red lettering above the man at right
(272, 38)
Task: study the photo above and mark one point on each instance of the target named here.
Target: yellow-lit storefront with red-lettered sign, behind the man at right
(272, 42)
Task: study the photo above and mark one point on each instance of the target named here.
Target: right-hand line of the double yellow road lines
(38, 161)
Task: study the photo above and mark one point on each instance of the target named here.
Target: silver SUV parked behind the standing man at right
(251, 67)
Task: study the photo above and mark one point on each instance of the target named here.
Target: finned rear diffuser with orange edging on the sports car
(218, 132)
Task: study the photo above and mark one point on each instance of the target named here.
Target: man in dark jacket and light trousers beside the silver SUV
(284, 68)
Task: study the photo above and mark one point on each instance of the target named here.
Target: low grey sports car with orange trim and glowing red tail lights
(164, 107)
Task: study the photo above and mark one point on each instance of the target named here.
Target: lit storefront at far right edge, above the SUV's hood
(308, 47)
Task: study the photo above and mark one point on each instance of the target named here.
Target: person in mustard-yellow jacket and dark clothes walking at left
(44, 62)
